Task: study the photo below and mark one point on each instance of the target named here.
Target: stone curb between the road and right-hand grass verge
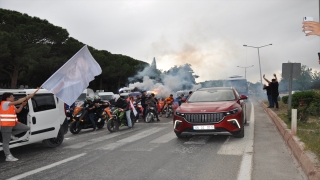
(293, 143)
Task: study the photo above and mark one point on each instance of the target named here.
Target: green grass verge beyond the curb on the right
(308, 132)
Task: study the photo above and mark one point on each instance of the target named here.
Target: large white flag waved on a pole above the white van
(68, 82)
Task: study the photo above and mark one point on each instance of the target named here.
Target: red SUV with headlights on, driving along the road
(211, 111)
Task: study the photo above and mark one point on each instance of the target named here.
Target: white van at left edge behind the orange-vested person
(44, 114)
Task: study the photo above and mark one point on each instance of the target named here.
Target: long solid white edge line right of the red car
(246, 163)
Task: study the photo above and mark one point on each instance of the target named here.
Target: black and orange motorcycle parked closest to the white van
(81, 120)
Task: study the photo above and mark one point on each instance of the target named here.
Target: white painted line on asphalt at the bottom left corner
(23, 175)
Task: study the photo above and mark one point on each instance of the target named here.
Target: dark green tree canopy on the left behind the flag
(32, 49)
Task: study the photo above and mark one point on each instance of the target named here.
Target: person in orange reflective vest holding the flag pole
(9, 121)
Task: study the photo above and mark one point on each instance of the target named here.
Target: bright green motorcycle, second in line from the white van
(119, 119)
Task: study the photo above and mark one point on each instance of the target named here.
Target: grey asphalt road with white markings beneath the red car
(152, 151)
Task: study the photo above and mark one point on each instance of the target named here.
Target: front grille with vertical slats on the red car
(204, 117)
